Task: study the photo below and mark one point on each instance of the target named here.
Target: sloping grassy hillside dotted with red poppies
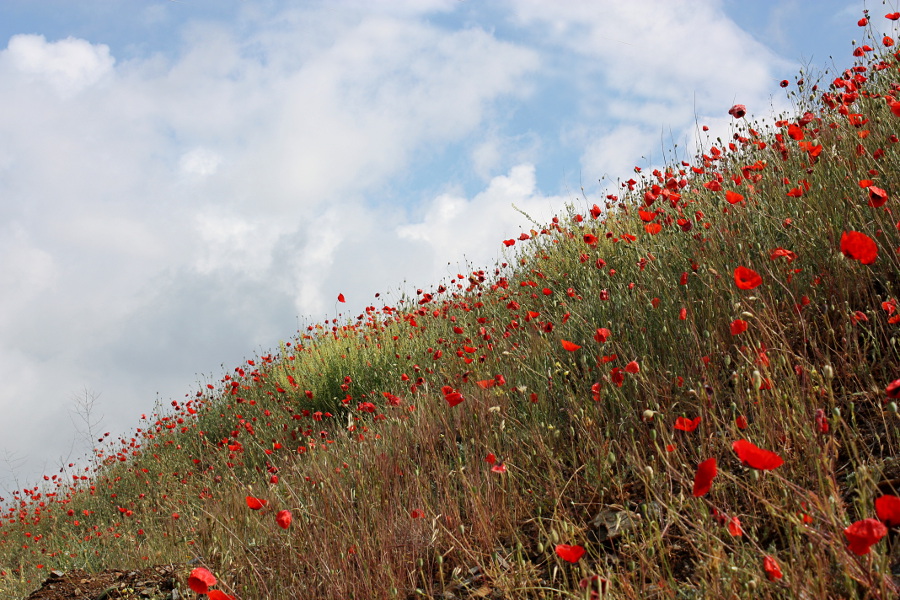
(685, 391)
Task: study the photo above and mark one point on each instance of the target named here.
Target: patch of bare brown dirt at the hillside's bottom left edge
(151, 583)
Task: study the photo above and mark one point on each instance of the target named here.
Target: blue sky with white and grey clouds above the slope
(185, 183)
